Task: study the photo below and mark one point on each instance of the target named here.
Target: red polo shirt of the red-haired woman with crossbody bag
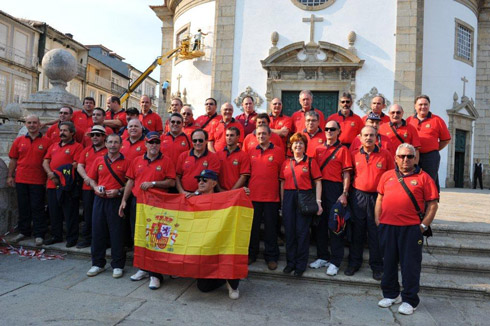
(304, 175)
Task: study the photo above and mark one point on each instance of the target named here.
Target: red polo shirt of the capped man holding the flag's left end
(142, 170)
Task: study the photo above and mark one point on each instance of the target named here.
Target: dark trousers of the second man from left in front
(67, 207)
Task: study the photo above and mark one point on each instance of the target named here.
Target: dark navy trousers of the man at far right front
(401, 245)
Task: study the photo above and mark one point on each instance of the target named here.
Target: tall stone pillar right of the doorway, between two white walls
(409, 52)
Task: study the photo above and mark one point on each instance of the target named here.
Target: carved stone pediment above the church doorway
(320, 67)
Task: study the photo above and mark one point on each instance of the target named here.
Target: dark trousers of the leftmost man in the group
(30, 199)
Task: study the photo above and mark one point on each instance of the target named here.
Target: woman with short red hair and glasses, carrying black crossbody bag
(298, 173)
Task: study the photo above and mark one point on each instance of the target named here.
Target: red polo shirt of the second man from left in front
(59, 155)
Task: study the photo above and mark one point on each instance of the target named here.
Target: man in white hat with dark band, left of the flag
(87, 157)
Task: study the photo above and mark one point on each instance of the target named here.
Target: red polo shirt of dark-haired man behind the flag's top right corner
(232, 166)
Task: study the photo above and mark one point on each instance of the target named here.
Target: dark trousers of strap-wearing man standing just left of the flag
(106, 220)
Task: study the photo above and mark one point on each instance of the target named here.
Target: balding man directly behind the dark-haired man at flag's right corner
(217, 141)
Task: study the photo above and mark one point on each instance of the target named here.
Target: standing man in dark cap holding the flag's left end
(153, 171)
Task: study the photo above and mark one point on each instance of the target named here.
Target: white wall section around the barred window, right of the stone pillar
(441, 75)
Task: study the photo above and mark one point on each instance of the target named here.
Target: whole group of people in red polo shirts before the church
(358, 162)
